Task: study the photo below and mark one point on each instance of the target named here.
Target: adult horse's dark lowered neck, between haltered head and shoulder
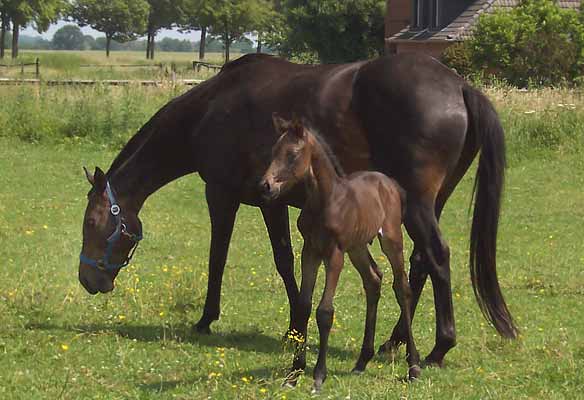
(157, 155)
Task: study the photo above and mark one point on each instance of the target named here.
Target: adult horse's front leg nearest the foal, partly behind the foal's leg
(276, 220)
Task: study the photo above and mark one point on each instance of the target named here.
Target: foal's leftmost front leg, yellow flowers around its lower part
(310, 263)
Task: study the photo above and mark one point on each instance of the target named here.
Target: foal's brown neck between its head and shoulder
(324, 176)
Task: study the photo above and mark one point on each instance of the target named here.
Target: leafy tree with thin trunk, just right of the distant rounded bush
(120, 20)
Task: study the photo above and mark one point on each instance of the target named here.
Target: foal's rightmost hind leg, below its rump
(392, 246)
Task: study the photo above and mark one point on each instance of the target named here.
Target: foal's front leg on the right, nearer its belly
(325, 314)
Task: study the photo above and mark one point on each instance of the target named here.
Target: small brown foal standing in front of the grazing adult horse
(341, 214)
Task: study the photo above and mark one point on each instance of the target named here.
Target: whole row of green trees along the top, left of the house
(315, 30)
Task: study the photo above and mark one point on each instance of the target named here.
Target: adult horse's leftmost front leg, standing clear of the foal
(222, 210)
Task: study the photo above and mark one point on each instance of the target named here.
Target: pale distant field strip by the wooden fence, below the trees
(68, 65)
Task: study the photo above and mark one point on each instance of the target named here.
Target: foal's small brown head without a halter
(290, 161)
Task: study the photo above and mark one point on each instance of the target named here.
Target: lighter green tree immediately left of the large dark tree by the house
(232, 19)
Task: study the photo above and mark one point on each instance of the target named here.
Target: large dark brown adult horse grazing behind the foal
(407, 116)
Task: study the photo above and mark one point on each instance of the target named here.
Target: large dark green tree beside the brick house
(334, 31)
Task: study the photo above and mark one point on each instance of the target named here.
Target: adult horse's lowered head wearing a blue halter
(110, 236)
